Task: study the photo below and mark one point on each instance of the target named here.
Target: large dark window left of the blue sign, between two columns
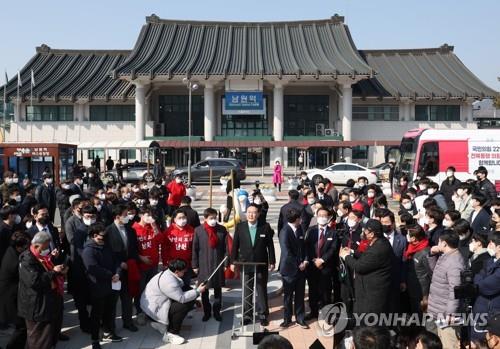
(174, 113)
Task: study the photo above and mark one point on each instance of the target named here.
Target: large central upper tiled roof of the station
(171, 48)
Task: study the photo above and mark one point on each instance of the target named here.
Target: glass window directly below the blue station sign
(244, 125)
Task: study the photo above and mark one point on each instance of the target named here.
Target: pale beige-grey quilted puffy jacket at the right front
(446, 275)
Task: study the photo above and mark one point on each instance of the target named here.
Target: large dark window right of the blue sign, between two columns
(303, 113)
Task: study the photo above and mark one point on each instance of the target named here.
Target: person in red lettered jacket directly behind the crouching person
(179, 243)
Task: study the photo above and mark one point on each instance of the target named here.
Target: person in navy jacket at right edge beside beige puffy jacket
(488, 284)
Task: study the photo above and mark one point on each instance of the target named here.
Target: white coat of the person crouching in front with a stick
(159, 293)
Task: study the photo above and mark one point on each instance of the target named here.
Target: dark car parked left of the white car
(200, 172)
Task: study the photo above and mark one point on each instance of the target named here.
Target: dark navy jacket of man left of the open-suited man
(100, 266)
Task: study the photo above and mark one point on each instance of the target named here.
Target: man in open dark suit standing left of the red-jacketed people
(123, 242)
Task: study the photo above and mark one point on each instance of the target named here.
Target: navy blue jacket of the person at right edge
(488, 284)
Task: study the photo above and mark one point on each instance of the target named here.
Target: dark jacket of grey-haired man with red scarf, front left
(37, 298)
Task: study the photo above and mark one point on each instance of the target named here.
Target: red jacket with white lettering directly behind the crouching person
(179, 244)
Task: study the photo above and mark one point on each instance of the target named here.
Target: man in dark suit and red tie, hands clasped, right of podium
(322, 246)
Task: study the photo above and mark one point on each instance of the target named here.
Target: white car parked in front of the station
(341, 172)
